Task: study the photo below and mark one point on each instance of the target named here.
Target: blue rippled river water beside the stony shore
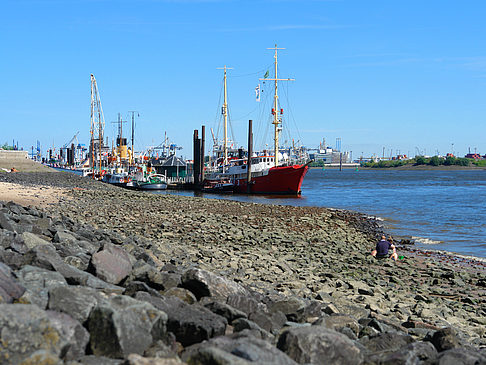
(441, 210)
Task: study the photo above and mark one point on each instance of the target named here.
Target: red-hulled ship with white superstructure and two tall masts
(270, 174)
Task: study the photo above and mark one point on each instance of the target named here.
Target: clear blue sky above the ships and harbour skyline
(396, 74)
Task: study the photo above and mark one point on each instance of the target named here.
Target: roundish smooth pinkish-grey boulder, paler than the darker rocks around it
(112, 264)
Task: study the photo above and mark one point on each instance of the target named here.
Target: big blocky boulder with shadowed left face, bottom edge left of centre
(122, 325)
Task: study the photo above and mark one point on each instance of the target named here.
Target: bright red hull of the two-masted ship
(282, 180)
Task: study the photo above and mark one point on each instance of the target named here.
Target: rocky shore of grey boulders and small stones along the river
(110, 276)
